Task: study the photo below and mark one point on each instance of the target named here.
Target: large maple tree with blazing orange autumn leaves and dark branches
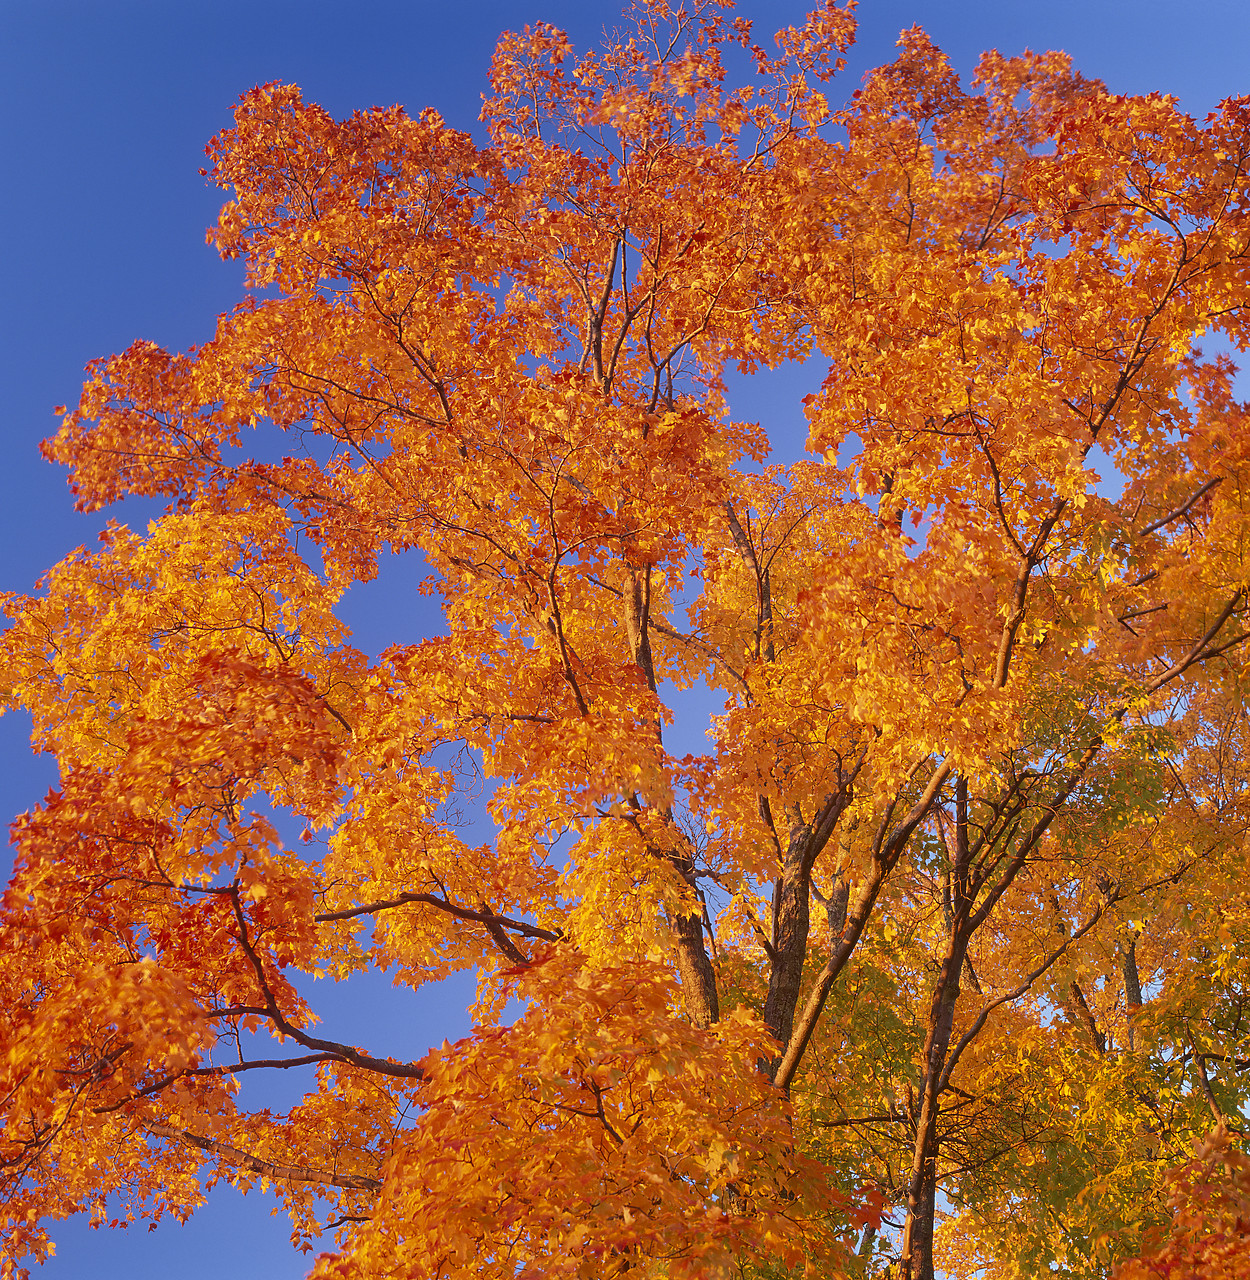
(949, 922)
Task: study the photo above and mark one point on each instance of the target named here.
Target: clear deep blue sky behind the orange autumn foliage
(107, 107)
